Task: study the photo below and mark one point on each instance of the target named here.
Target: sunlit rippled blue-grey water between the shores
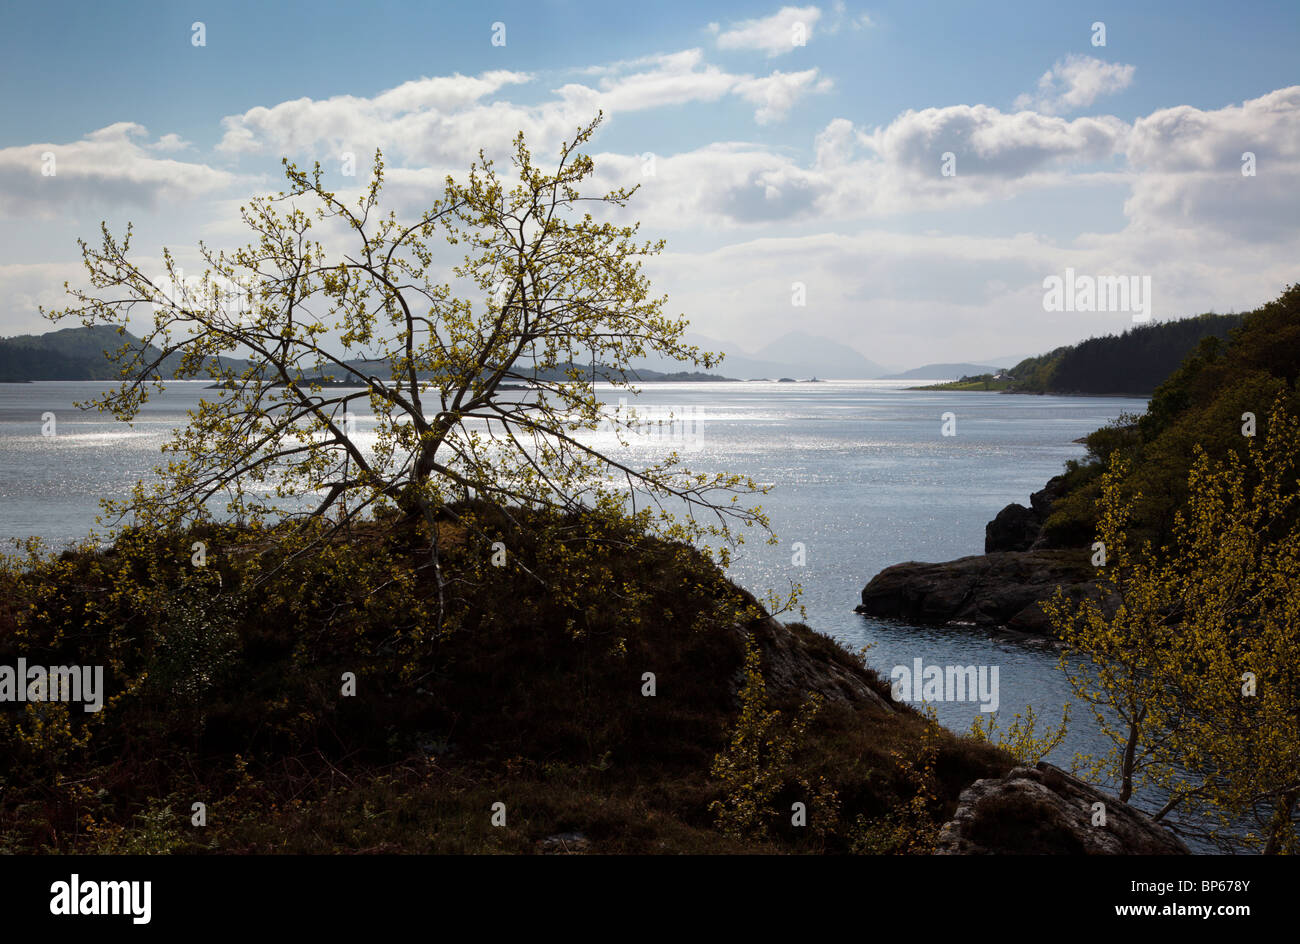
(861, 473)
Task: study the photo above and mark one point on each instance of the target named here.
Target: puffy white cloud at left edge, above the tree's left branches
(112, 166)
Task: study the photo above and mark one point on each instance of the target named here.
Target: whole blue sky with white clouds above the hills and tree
(918, 168)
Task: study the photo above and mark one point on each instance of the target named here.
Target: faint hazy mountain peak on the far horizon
(792, 356)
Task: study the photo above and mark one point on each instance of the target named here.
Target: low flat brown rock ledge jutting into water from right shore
(1002, 590)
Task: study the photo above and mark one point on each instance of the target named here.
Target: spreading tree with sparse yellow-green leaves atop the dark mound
(318, 335)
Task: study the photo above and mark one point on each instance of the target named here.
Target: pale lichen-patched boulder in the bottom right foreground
(1045, 811)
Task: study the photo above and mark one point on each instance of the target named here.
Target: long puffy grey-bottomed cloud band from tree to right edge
(1181, 168)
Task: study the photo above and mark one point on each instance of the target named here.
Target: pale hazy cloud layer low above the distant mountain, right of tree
(909, 298)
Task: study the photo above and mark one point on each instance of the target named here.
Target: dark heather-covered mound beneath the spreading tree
(226, 688)
